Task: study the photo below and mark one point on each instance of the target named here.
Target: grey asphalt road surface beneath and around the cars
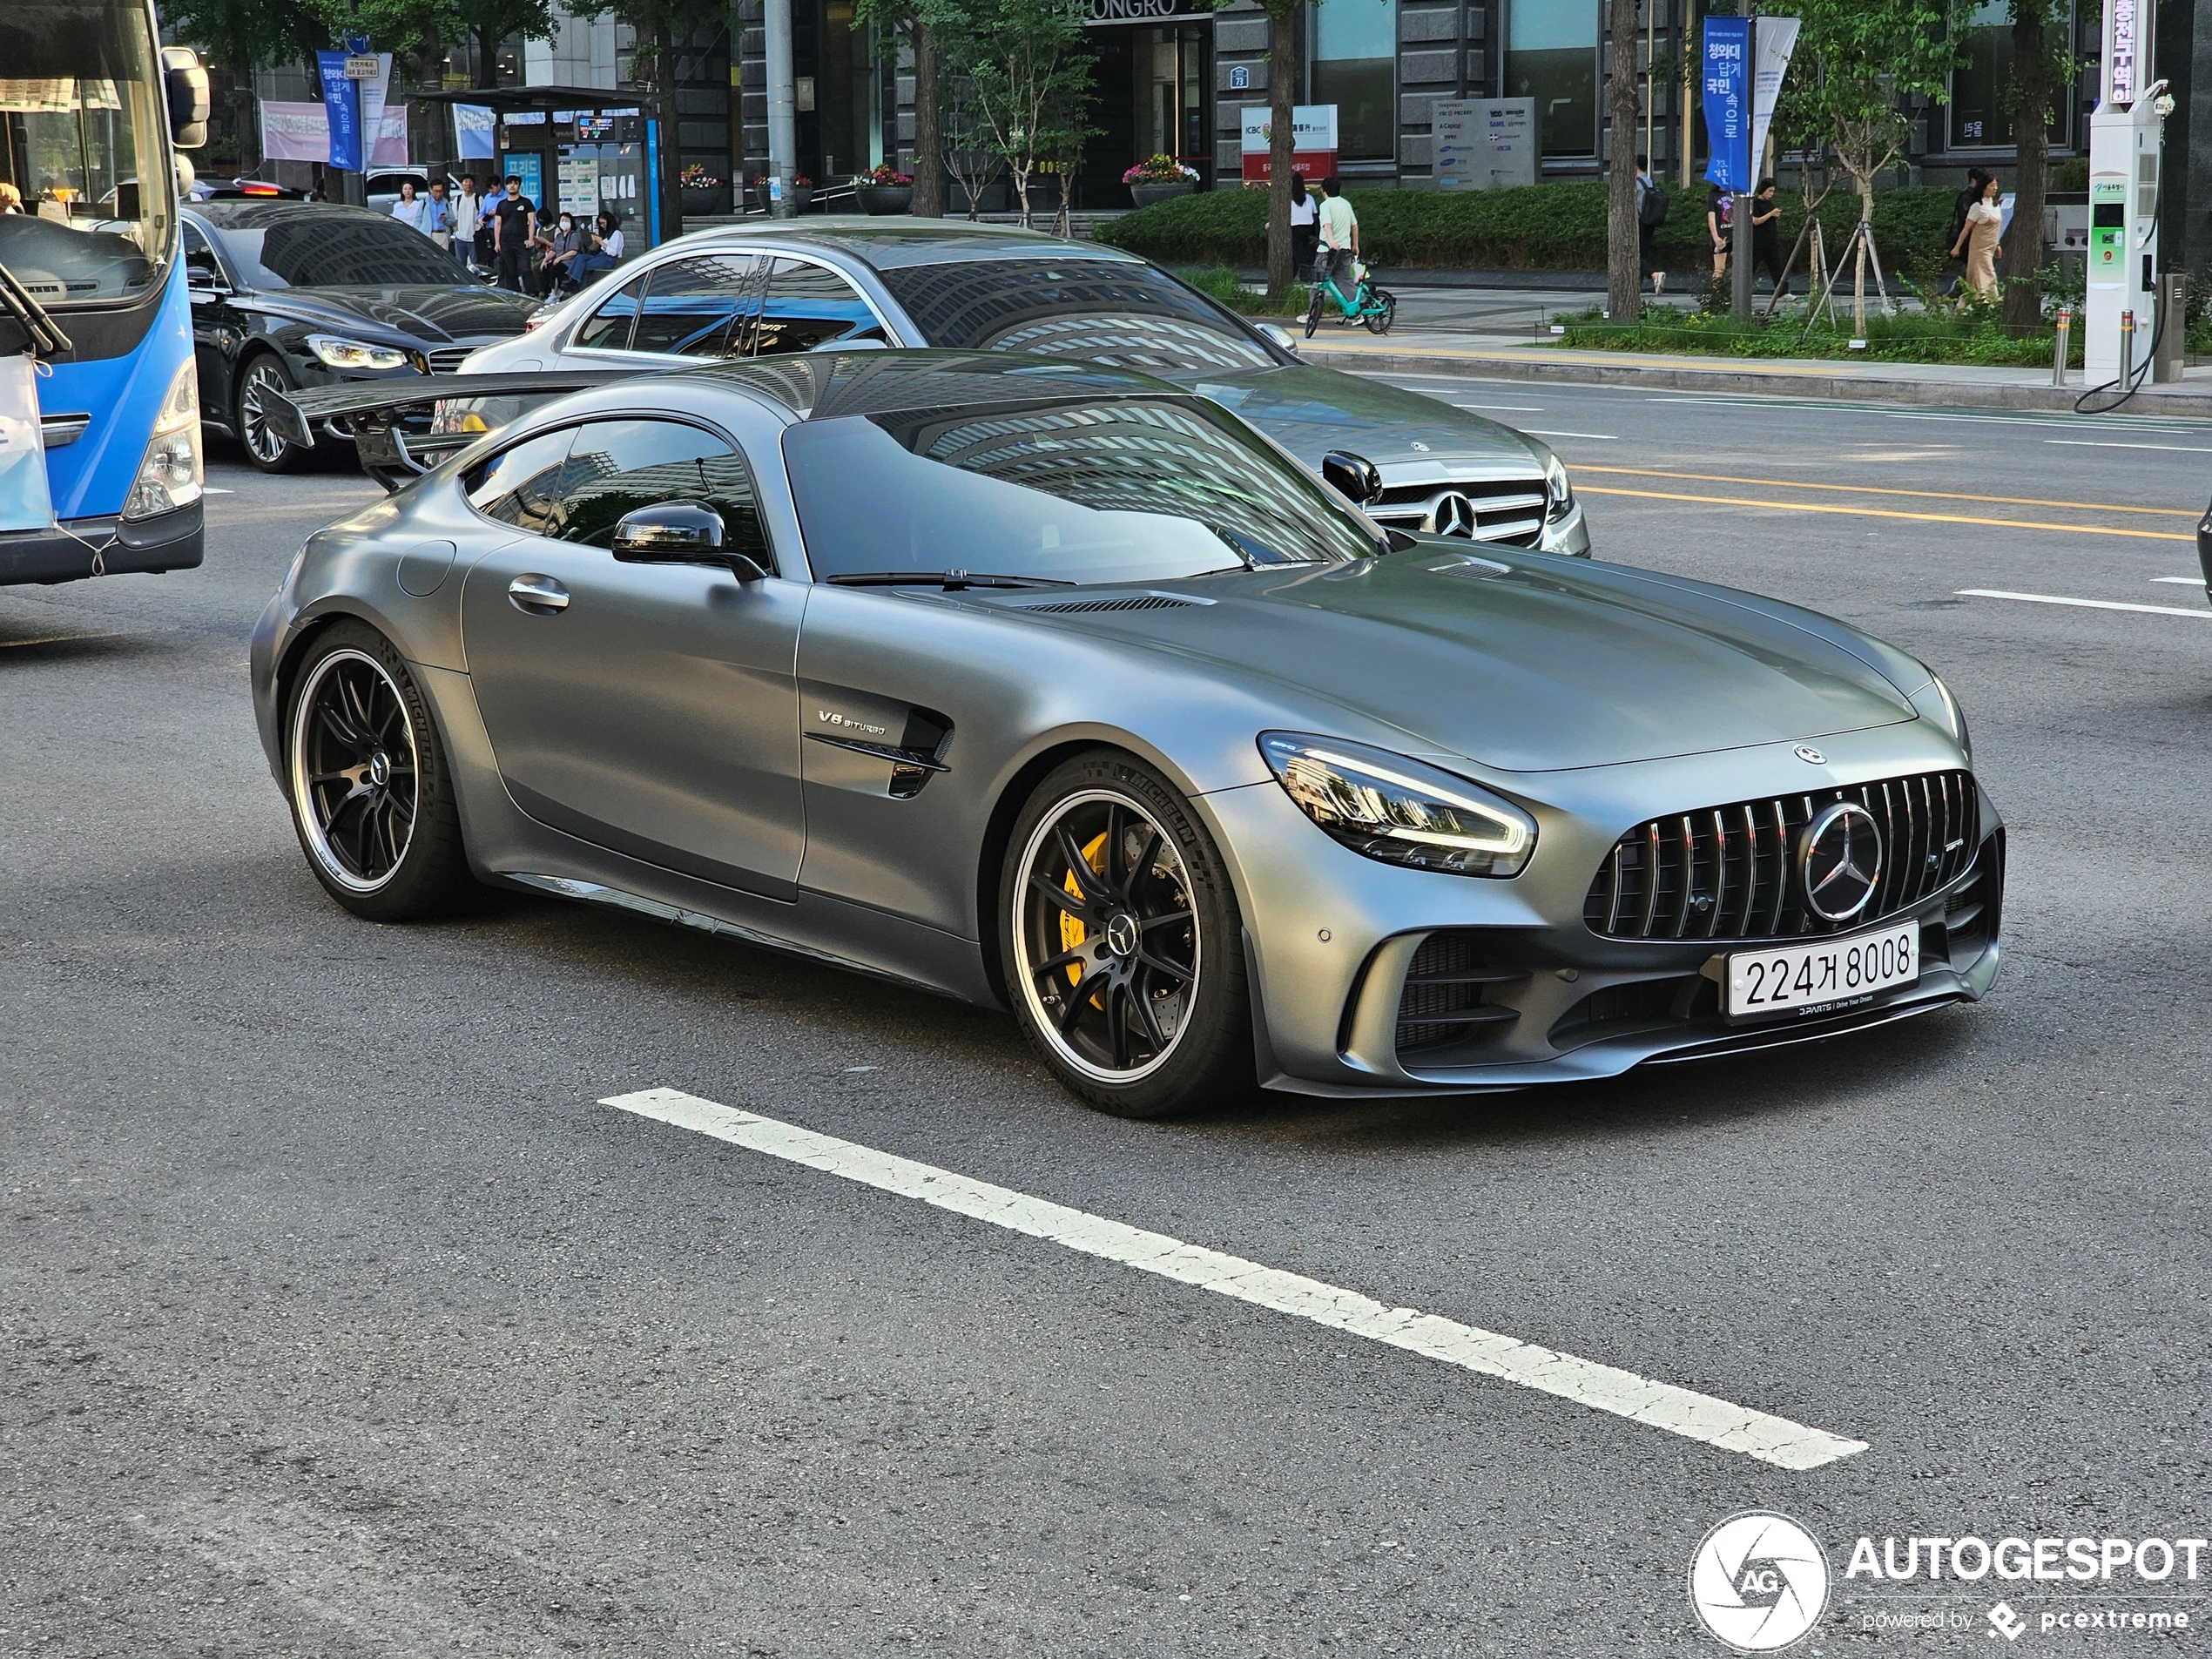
(342, 1317)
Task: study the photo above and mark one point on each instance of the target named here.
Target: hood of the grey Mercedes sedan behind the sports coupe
(1313, 410)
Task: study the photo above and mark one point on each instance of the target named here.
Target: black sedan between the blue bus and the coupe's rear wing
(309, 293)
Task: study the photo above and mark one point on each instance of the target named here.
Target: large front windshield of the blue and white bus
(85, 145)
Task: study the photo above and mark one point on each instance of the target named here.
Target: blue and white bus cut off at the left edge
(92, 118)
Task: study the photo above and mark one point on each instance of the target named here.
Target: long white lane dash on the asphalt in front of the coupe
(1603, 1388)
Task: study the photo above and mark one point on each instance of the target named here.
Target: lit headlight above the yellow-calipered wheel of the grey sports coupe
(1401, 811)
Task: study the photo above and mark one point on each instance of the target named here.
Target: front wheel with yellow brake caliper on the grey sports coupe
(1123, 943)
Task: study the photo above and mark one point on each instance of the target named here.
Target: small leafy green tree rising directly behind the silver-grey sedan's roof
(1032, 83)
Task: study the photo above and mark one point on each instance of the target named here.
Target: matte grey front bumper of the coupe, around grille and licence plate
(1335, 941)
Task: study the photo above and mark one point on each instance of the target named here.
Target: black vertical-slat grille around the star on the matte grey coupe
(1733, 873)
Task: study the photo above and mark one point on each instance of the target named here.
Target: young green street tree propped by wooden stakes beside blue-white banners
(1861, 61)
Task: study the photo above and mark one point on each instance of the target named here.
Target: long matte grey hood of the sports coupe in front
(1534, 665)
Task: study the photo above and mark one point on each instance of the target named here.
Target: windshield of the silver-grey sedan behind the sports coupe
(1094, 311)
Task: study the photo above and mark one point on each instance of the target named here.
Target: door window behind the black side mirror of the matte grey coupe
(623, 466)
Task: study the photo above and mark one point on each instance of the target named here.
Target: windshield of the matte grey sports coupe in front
(1138, 490)
